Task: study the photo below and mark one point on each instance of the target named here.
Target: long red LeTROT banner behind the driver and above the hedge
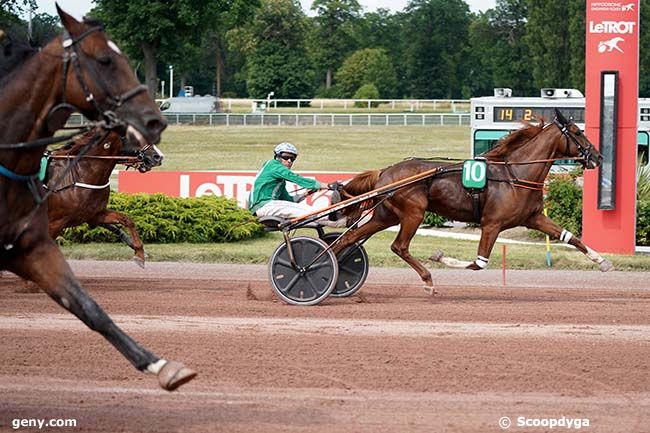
(230, 184)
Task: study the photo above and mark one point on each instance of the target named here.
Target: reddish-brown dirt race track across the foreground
(551, 345)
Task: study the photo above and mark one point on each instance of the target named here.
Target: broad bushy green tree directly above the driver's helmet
(275, 50)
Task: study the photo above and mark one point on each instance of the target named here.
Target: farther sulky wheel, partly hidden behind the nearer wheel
(353, 268)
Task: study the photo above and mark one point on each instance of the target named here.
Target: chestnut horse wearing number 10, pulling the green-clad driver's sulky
(516, 169)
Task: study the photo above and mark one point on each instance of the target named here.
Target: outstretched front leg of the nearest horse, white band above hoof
(46, 266)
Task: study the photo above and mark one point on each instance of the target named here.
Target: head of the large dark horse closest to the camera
(99, 82)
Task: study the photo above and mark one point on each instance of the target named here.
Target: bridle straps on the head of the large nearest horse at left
(71, 55)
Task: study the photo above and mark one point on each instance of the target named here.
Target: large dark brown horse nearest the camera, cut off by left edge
(84, 71)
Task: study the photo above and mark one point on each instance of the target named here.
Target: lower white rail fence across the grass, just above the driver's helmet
(308, 119)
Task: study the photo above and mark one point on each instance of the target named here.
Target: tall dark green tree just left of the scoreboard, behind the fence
(437, 31)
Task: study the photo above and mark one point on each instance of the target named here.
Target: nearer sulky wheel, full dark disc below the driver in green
(312, 279)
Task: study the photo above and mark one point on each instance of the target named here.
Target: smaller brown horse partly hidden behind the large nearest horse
(81, 196)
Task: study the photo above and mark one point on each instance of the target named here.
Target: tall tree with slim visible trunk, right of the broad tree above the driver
(335, 24)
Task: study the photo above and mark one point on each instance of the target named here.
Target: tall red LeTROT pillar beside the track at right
(612, 45)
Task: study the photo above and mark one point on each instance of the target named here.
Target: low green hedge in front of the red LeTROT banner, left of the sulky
(163, 219)
